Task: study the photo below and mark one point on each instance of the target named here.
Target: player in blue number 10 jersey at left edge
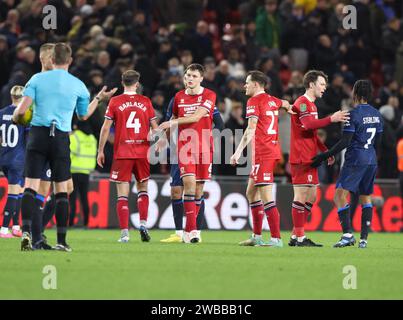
(12, 158)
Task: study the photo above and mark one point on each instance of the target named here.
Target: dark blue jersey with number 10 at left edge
(13, 138)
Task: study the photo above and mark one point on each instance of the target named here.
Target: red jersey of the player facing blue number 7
(304, 144)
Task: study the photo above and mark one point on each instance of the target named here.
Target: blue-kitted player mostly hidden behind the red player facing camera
(177, 185)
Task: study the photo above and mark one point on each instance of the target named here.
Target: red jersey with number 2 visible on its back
(265, 107)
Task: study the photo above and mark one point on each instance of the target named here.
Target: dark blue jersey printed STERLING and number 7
(365, 122)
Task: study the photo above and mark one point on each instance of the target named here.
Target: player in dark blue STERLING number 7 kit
(361, 136)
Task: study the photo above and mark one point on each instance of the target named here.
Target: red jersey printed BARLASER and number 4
(131, 114)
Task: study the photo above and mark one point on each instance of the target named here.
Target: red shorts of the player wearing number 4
(122, 170)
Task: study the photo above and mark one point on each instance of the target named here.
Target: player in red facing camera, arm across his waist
(192, 112)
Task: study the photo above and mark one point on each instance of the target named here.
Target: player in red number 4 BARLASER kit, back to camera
(132, 114)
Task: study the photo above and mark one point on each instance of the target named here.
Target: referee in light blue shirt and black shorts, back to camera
(56, 94)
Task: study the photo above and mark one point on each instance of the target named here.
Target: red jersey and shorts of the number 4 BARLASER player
(131, 114)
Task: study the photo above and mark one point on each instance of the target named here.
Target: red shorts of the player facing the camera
(198, 165)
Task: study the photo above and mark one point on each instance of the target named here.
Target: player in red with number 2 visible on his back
(262, 111)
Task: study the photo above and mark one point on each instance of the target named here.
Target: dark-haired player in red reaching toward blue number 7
(304, 146)
